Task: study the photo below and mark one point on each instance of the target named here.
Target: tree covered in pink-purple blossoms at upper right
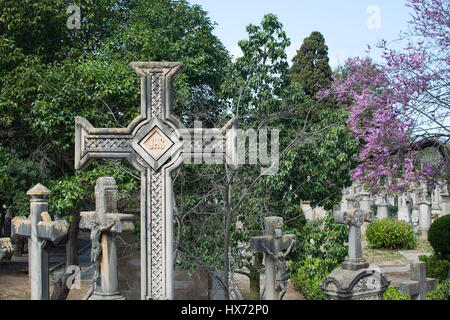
(401, 106)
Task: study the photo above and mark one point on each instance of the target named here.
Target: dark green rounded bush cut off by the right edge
(439, 236)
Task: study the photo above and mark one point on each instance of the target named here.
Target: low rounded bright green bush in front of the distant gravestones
(390, 234)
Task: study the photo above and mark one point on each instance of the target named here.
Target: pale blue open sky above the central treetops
(348, 26)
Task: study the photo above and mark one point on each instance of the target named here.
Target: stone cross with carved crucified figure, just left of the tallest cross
(105, 223)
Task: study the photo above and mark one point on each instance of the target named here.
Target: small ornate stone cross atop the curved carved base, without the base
(354, 217)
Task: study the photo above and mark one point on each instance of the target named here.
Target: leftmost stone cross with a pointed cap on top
(39, 229)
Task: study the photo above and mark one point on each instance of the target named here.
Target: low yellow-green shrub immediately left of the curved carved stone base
(310, 275)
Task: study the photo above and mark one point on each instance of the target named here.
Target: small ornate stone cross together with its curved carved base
(354, 280)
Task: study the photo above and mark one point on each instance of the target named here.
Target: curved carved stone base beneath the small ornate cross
(363, 284)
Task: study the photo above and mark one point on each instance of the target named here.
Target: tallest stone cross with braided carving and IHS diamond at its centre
(156, 143)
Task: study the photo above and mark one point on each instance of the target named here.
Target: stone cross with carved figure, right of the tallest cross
(275, 247)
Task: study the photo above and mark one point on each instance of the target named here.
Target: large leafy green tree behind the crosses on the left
(50, 74)
